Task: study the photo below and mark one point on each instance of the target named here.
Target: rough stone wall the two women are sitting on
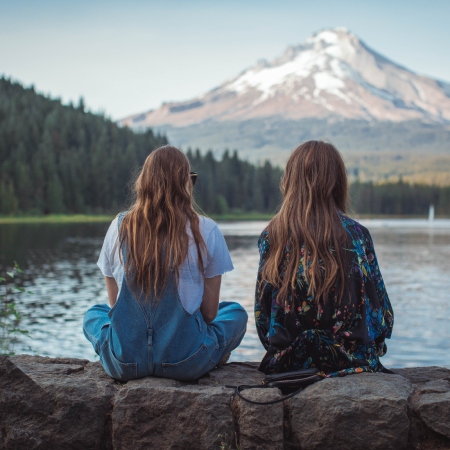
(63, 403)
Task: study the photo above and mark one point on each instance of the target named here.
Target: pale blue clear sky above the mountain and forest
(126, 57)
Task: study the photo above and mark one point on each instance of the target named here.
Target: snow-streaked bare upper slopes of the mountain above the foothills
(334, 74)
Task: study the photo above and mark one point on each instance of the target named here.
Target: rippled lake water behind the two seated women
(60, 264)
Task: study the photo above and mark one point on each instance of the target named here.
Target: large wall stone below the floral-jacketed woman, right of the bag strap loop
(358, 412)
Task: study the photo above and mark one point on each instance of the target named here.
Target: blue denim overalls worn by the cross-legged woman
(142, 337)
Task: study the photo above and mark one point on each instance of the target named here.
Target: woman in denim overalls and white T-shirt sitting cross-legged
(163, 265)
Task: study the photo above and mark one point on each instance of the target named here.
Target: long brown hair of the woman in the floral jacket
(314, 188)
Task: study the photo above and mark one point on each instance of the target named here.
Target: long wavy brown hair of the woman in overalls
(154, 230)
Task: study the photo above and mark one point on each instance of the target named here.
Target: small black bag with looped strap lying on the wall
(290, 383)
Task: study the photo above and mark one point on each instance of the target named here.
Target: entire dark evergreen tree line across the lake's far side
(57, 158)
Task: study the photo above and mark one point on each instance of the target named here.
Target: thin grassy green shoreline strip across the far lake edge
(85, 218)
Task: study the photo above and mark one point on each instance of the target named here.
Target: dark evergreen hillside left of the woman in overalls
(57, 158)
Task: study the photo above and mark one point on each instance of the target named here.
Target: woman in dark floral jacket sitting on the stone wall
(320, 297)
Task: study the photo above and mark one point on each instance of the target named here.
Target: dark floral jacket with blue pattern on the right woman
(342, 339)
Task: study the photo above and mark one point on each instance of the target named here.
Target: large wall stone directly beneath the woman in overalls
(156, 413)
